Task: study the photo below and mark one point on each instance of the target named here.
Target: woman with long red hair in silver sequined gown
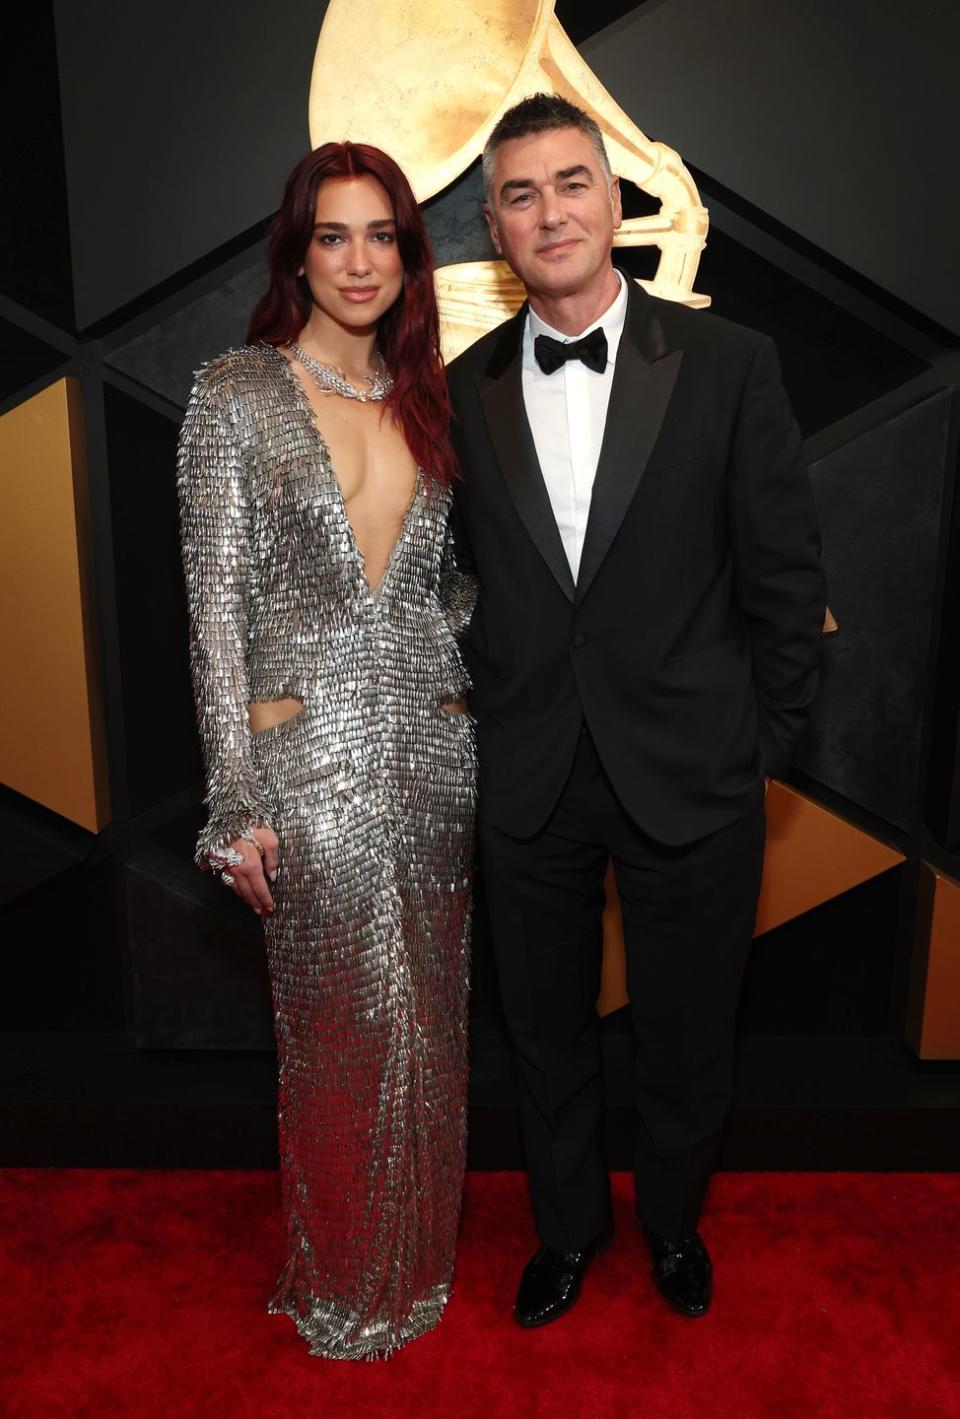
(316, 479)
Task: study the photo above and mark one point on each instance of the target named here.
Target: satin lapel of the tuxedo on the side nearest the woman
(510, 429)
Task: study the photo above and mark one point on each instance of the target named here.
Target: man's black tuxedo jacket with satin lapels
(690, 642)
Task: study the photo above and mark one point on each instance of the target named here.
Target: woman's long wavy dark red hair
(409, 334)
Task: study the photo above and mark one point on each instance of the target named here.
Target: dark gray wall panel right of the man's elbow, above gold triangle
(880, 502)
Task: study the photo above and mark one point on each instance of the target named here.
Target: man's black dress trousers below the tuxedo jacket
(688, 924)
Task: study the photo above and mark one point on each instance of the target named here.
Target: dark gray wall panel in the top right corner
(813, 113)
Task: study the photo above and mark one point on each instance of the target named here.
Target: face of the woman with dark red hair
(352, 265)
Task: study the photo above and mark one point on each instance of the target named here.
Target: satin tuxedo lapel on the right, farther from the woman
(639, 399)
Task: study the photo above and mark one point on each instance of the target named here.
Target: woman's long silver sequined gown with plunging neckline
(371, 790)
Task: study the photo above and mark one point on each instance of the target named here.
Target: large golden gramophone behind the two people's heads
(428, 80)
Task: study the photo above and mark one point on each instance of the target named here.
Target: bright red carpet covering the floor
(143, 1295)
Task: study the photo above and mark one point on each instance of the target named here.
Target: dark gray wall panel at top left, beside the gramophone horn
(181, 124)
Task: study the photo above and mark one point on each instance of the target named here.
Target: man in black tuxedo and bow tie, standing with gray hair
(644, 652)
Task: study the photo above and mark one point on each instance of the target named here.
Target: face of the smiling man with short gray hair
(551, 212)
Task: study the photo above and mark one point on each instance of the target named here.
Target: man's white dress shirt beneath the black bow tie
(568, 412)
